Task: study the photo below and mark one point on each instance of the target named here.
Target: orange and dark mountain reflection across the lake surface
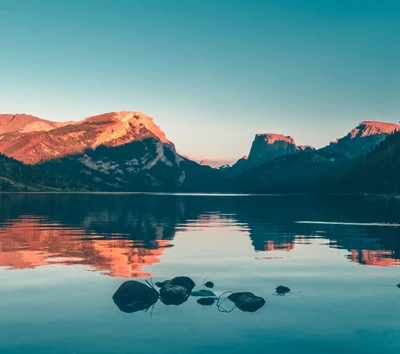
(120, 234)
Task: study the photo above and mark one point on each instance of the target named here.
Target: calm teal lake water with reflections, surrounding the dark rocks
(62, 257)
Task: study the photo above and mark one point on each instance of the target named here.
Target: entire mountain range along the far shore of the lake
(127, 151)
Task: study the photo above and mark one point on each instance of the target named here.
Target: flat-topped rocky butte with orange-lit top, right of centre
(266, 147)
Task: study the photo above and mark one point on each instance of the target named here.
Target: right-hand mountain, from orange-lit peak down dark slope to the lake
(307, 171)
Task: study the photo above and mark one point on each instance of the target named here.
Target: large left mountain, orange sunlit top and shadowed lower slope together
(113, 151)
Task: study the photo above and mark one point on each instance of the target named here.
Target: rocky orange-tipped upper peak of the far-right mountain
(362, 139)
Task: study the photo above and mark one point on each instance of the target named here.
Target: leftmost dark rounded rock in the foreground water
(133, 296)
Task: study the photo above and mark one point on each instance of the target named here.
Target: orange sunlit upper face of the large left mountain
(51, 141)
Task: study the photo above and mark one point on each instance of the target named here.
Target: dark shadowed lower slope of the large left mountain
(143, 165)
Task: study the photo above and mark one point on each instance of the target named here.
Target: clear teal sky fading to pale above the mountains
(212, 73)
